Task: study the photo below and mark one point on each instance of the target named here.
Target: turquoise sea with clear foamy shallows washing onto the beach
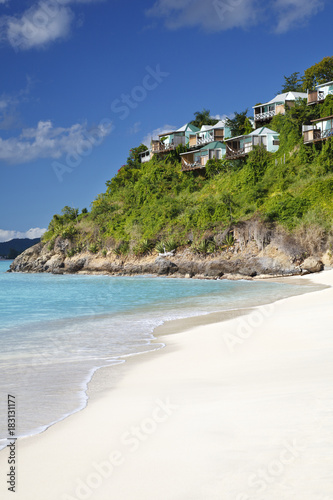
(56, 330)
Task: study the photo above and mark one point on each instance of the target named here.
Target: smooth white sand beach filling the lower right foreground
(236, 410)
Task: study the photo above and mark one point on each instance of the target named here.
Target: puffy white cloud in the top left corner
(43, 23)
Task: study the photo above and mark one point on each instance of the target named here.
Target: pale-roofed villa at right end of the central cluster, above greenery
(239, 147)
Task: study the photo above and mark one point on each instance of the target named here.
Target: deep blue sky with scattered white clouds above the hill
(83, 81)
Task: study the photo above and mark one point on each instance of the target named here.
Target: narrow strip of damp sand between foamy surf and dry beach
(104, 383)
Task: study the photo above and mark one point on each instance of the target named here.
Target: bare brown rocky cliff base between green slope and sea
(235, 262)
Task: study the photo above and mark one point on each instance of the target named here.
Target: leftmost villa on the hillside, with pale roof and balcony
(169, 141)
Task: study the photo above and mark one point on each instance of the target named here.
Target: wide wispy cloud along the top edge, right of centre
(220, 15)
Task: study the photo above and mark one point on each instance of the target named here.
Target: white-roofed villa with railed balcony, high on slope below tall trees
(263, 113)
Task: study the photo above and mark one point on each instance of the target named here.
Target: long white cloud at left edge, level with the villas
(46, 141)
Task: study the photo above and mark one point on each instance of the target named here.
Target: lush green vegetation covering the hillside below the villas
(152, 202)
